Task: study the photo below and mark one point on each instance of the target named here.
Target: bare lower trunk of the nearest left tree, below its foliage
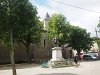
(12, 54)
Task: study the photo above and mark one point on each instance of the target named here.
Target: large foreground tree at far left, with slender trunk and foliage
(18, 21)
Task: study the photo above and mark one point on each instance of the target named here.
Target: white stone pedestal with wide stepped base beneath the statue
(57, 60)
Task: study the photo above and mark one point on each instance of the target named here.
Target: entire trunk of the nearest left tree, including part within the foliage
(11, 41)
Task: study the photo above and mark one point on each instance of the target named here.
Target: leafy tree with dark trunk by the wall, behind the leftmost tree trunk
(30, 26)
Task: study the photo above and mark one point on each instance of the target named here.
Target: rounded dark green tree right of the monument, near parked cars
(79, 39)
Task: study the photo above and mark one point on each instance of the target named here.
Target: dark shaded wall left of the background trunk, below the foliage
(20, 54)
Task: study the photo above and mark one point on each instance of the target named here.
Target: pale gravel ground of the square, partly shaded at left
(85, 68)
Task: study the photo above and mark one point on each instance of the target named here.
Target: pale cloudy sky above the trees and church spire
(76, 16)
